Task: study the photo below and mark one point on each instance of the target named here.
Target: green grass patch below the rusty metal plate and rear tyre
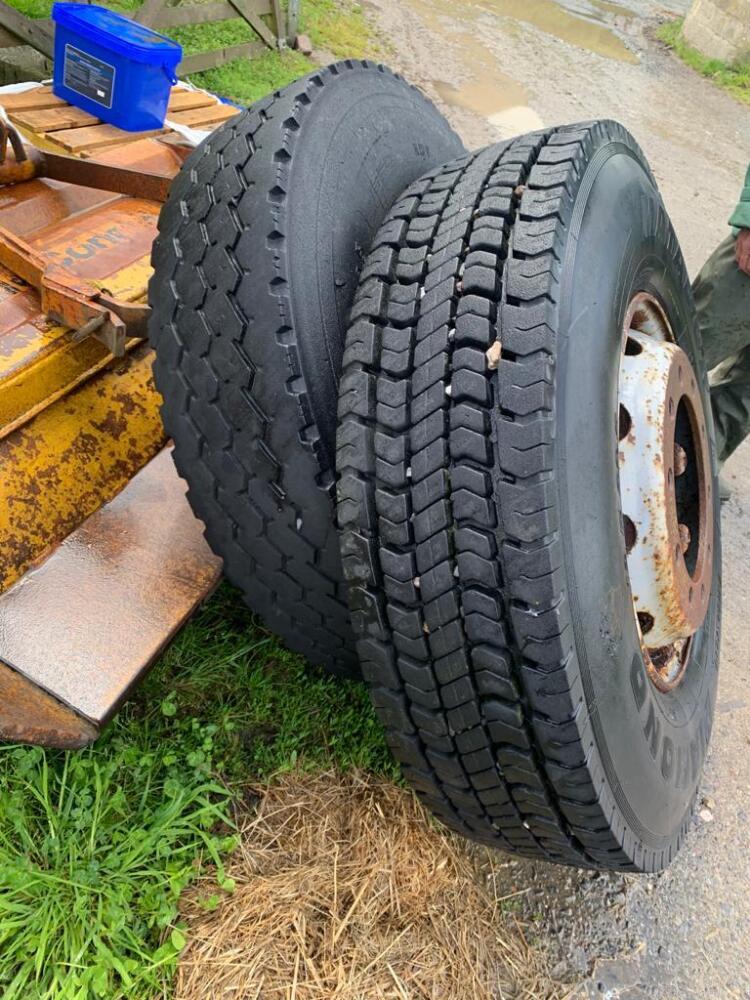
(96, 846)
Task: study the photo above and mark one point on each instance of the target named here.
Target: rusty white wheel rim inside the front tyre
(665, 488)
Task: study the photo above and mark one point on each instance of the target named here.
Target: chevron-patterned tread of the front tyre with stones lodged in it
(450, 539)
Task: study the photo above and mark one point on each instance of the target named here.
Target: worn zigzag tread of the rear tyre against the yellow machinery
(238, 479)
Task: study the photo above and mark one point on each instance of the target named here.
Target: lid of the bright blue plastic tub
(116, 32)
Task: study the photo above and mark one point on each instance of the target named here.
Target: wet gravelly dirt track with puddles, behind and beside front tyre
(499, 67)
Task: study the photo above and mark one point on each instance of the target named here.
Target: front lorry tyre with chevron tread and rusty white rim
(526, 497)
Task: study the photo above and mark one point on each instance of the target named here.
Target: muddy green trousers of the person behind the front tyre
(722, 297)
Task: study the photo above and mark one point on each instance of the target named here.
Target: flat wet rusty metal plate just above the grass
(88, 621)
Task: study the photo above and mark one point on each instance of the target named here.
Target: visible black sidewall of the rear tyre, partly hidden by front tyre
(363, 148)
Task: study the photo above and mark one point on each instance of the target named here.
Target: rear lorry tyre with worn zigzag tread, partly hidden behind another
(256, 263)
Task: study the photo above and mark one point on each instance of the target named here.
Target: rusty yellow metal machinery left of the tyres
(101, 559)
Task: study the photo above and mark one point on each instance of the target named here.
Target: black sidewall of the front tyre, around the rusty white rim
(651, 745)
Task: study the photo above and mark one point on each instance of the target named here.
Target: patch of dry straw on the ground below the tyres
(346, 891)
